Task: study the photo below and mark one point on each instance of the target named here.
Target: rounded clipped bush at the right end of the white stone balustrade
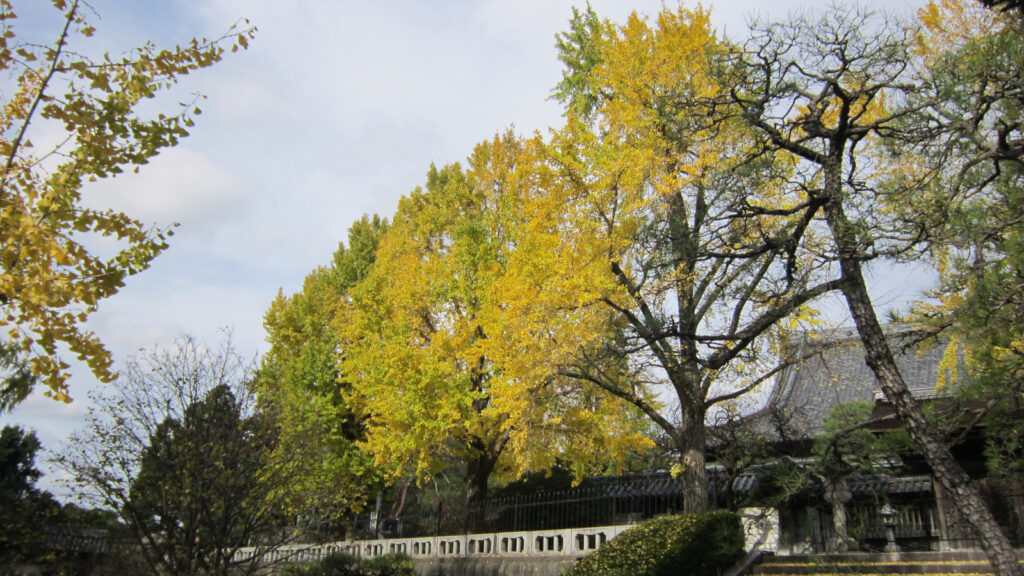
(692, 546)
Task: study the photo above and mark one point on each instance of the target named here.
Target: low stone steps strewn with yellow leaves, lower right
(864, 563)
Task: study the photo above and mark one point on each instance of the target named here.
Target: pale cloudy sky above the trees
(337, 109)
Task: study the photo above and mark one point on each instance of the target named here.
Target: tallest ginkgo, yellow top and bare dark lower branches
(674, 227)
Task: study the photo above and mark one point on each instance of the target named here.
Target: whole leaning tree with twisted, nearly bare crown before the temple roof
(831, 95)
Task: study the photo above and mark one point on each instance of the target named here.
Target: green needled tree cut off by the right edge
(976, 58)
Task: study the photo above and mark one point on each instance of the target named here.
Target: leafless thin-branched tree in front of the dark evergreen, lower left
(177, 450)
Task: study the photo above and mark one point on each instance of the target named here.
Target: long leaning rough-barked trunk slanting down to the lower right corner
(879, 357)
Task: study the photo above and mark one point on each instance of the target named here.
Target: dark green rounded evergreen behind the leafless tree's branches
(199, 486)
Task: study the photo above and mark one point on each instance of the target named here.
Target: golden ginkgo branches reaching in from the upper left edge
(51, 278)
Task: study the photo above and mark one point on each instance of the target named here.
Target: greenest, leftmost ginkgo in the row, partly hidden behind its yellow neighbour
(300, 385)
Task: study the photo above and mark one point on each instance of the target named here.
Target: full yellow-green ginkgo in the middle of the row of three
(444, 364)
